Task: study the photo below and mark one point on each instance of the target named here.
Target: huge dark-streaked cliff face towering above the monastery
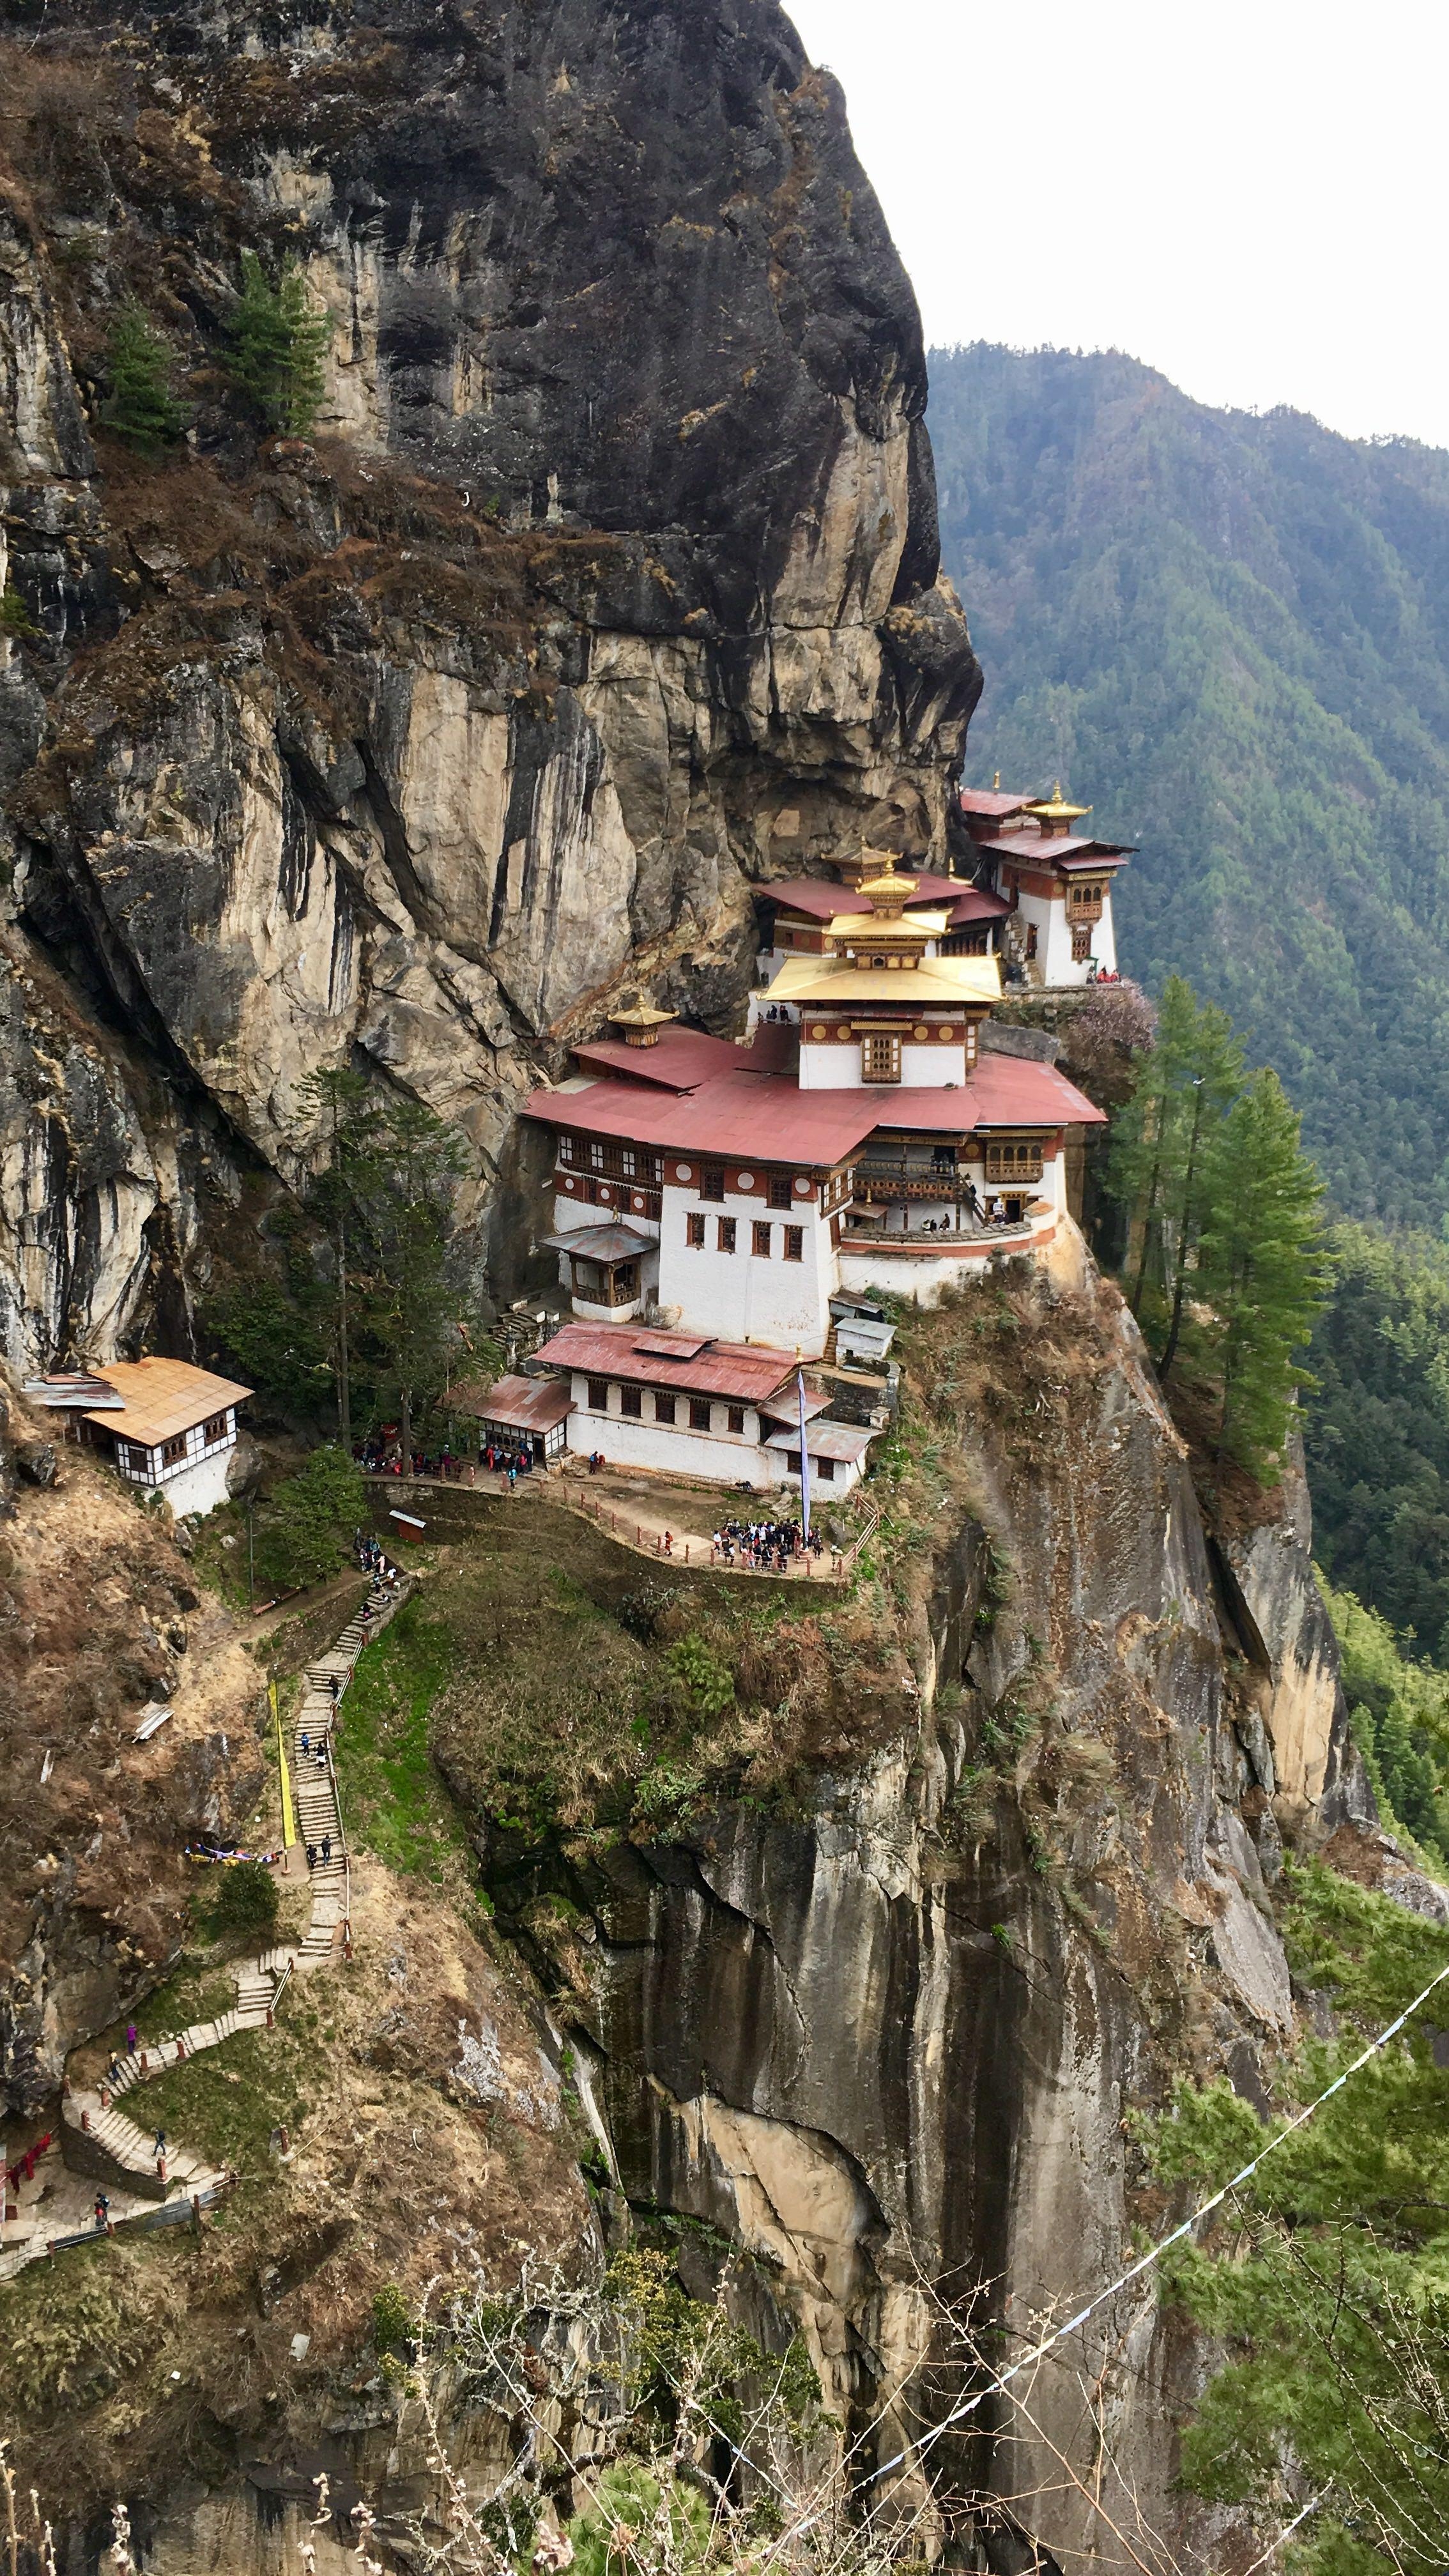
(610, 583)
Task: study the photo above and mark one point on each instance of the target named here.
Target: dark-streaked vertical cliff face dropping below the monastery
(899, 2039)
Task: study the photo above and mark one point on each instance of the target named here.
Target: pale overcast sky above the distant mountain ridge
(1249, 194)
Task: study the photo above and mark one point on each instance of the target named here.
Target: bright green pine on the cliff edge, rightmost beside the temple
(1265, 1269)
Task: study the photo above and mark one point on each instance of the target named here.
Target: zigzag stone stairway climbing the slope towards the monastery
(99, 2147)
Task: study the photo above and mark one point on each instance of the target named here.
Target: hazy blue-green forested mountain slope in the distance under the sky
(1231, 635)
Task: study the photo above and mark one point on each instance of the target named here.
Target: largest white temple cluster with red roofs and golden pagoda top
(721, 1204)
